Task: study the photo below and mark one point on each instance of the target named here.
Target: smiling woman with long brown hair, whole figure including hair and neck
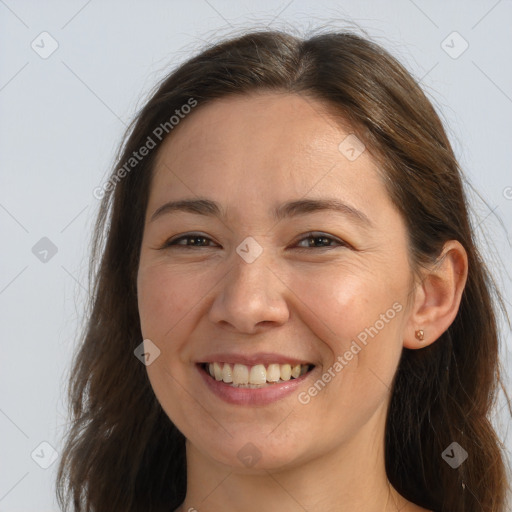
(289, 311)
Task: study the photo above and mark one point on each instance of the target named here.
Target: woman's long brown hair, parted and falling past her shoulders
(122, 452)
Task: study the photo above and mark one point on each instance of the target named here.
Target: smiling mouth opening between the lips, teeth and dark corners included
(254, 376)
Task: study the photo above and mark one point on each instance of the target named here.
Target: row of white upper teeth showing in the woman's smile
(240, 374)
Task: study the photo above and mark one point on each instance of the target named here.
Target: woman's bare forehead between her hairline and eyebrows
(264, 147)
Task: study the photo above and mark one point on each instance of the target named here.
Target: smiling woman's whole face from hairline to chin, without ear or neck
(248, 288)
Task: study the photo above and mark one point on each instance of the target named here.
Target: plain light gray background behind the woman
(62, 118)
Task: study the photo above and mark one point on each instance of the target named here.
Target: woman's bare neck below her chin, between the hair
(349, 477)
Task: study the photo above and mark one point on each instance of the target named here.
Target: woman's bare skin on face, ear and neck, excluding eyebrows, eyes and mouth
(250, 154)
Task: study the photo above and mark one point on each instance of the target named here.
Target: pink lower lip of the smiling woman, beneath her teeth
(252, 396)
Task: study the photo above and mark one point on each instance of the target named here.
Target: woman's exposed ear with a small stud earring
(437, 296)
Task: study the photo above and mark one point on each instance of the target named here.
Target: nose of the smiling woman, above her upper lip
(251, 296)
